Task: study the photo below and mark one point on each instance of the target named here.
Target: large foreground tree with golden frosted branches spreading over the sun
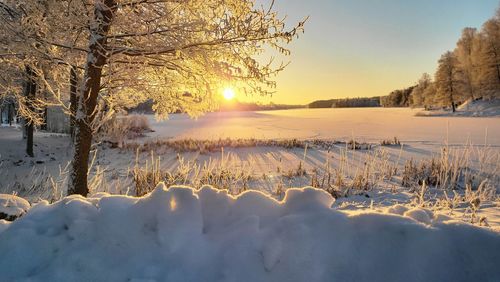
(177, 53)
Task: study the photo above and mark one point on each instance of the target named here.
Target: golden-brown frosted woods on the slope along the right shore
(470, 72)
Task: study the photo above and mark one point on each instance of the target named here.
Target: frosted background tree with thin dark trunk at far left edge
(35, 70)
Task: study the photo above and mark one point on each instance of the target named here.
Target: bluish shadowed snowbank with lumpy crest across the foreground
(181, 234)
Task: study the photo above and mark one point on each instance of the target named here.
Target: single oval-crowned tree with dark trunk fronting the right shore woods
(448, 80)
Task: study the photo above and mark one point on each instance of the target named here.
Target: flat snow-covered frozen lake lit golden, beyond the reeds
(364, 124)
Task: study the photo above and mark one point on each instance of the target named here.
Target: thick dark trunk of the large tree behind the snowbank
(87, 100)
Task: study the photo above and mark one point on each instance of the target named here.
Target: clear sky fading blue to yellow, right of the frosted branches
(354, 48)
